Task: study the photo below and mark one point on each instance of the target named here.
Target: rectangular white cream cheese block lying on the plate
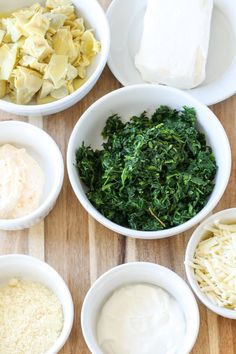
(174, 43)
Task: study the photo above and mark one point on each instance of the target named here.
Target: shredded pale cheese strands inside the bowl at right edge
(214, 265)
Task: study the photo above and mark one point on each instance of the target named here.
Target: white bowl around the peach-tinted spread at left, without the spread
(46, 152)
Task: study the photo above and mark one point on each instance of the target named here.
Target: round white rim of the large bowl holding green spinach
(146, 234)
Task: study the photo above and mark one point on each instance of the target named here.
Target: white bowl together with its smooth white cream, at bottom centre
(132, 308)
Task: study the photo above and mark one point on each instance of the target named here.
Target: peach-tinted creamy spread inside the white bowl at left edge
(21, 182)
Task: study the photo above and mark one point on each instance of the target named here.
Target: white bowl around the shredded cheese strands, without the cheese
(226, 216)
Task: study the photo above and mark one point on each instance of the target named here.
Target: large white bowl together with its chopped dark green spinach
(140, 203)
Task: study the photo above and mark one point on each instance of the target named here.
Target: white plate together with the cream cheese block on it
(186, 22)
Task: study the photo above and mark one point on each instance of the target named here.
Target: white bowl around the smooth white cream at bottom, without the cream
(138, 272)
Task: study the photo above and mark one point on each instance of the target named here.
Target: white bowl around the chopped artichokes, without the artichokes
(95, 18)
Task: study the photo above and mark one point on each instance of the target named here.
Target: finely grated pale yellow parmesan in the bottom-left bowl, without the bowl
(31, 318)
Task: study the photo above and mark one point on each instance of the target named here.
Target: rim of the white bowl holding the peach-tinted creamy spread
(37, 213)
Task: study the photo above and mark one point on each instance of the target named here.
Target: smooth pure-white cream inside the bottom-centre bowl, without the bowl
(141, 319)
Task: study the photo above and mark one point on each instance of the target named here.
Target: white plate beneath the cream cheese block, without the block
(221, 63)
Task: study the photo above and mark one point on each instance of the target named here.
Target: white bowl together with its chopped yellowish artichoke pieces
(63, 50)
